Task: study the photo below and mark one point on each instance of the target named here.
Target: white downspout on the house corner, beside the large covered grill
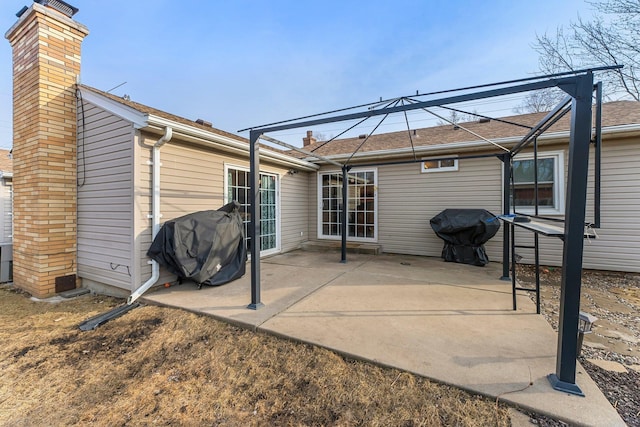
(155, 213)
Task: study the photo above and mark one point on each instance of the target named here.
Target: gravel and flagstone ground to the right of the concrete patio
(614, 298)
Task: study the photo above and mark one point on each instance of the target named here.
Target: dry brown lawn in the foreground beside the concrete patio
(161, 366)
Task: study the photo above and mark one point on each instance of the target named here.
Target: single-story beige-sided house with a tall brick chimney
(95, 173)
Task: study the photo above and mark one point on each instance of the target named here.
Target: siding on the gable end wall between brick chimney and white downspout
(105, 198)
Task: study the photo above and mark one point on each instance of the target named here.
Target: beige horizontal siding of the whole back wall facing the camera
(407, 199)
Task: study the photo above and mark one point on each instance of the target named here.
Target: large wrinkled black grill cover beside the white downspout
(206, 247)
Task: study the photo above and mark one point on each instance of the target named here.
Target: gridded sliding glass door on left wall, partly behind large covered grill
(238, 188)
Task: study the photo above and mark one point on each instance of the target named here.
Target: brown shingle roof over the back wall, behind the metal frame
(613, 114)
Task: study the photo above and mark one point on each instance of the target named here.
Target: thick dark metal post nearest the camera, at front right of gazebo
(564, 379)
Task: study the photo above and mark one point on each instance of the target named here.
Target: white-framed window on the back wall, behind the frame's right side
(550, 183)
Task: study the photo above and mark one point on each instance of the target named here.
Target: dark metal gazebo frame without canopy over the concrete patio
(579, 86)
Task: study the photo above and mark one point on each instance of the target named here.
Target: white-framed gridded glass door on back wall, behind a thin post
(362, 201)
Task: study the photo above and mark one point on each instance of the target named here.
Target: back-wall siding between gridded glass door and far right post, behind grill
(408, 199)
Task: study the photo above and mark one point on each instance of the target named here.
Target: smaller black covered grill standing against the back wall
(464, 232)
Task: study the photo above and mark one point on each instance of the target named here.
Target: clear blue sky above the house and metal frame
(243, 63)
